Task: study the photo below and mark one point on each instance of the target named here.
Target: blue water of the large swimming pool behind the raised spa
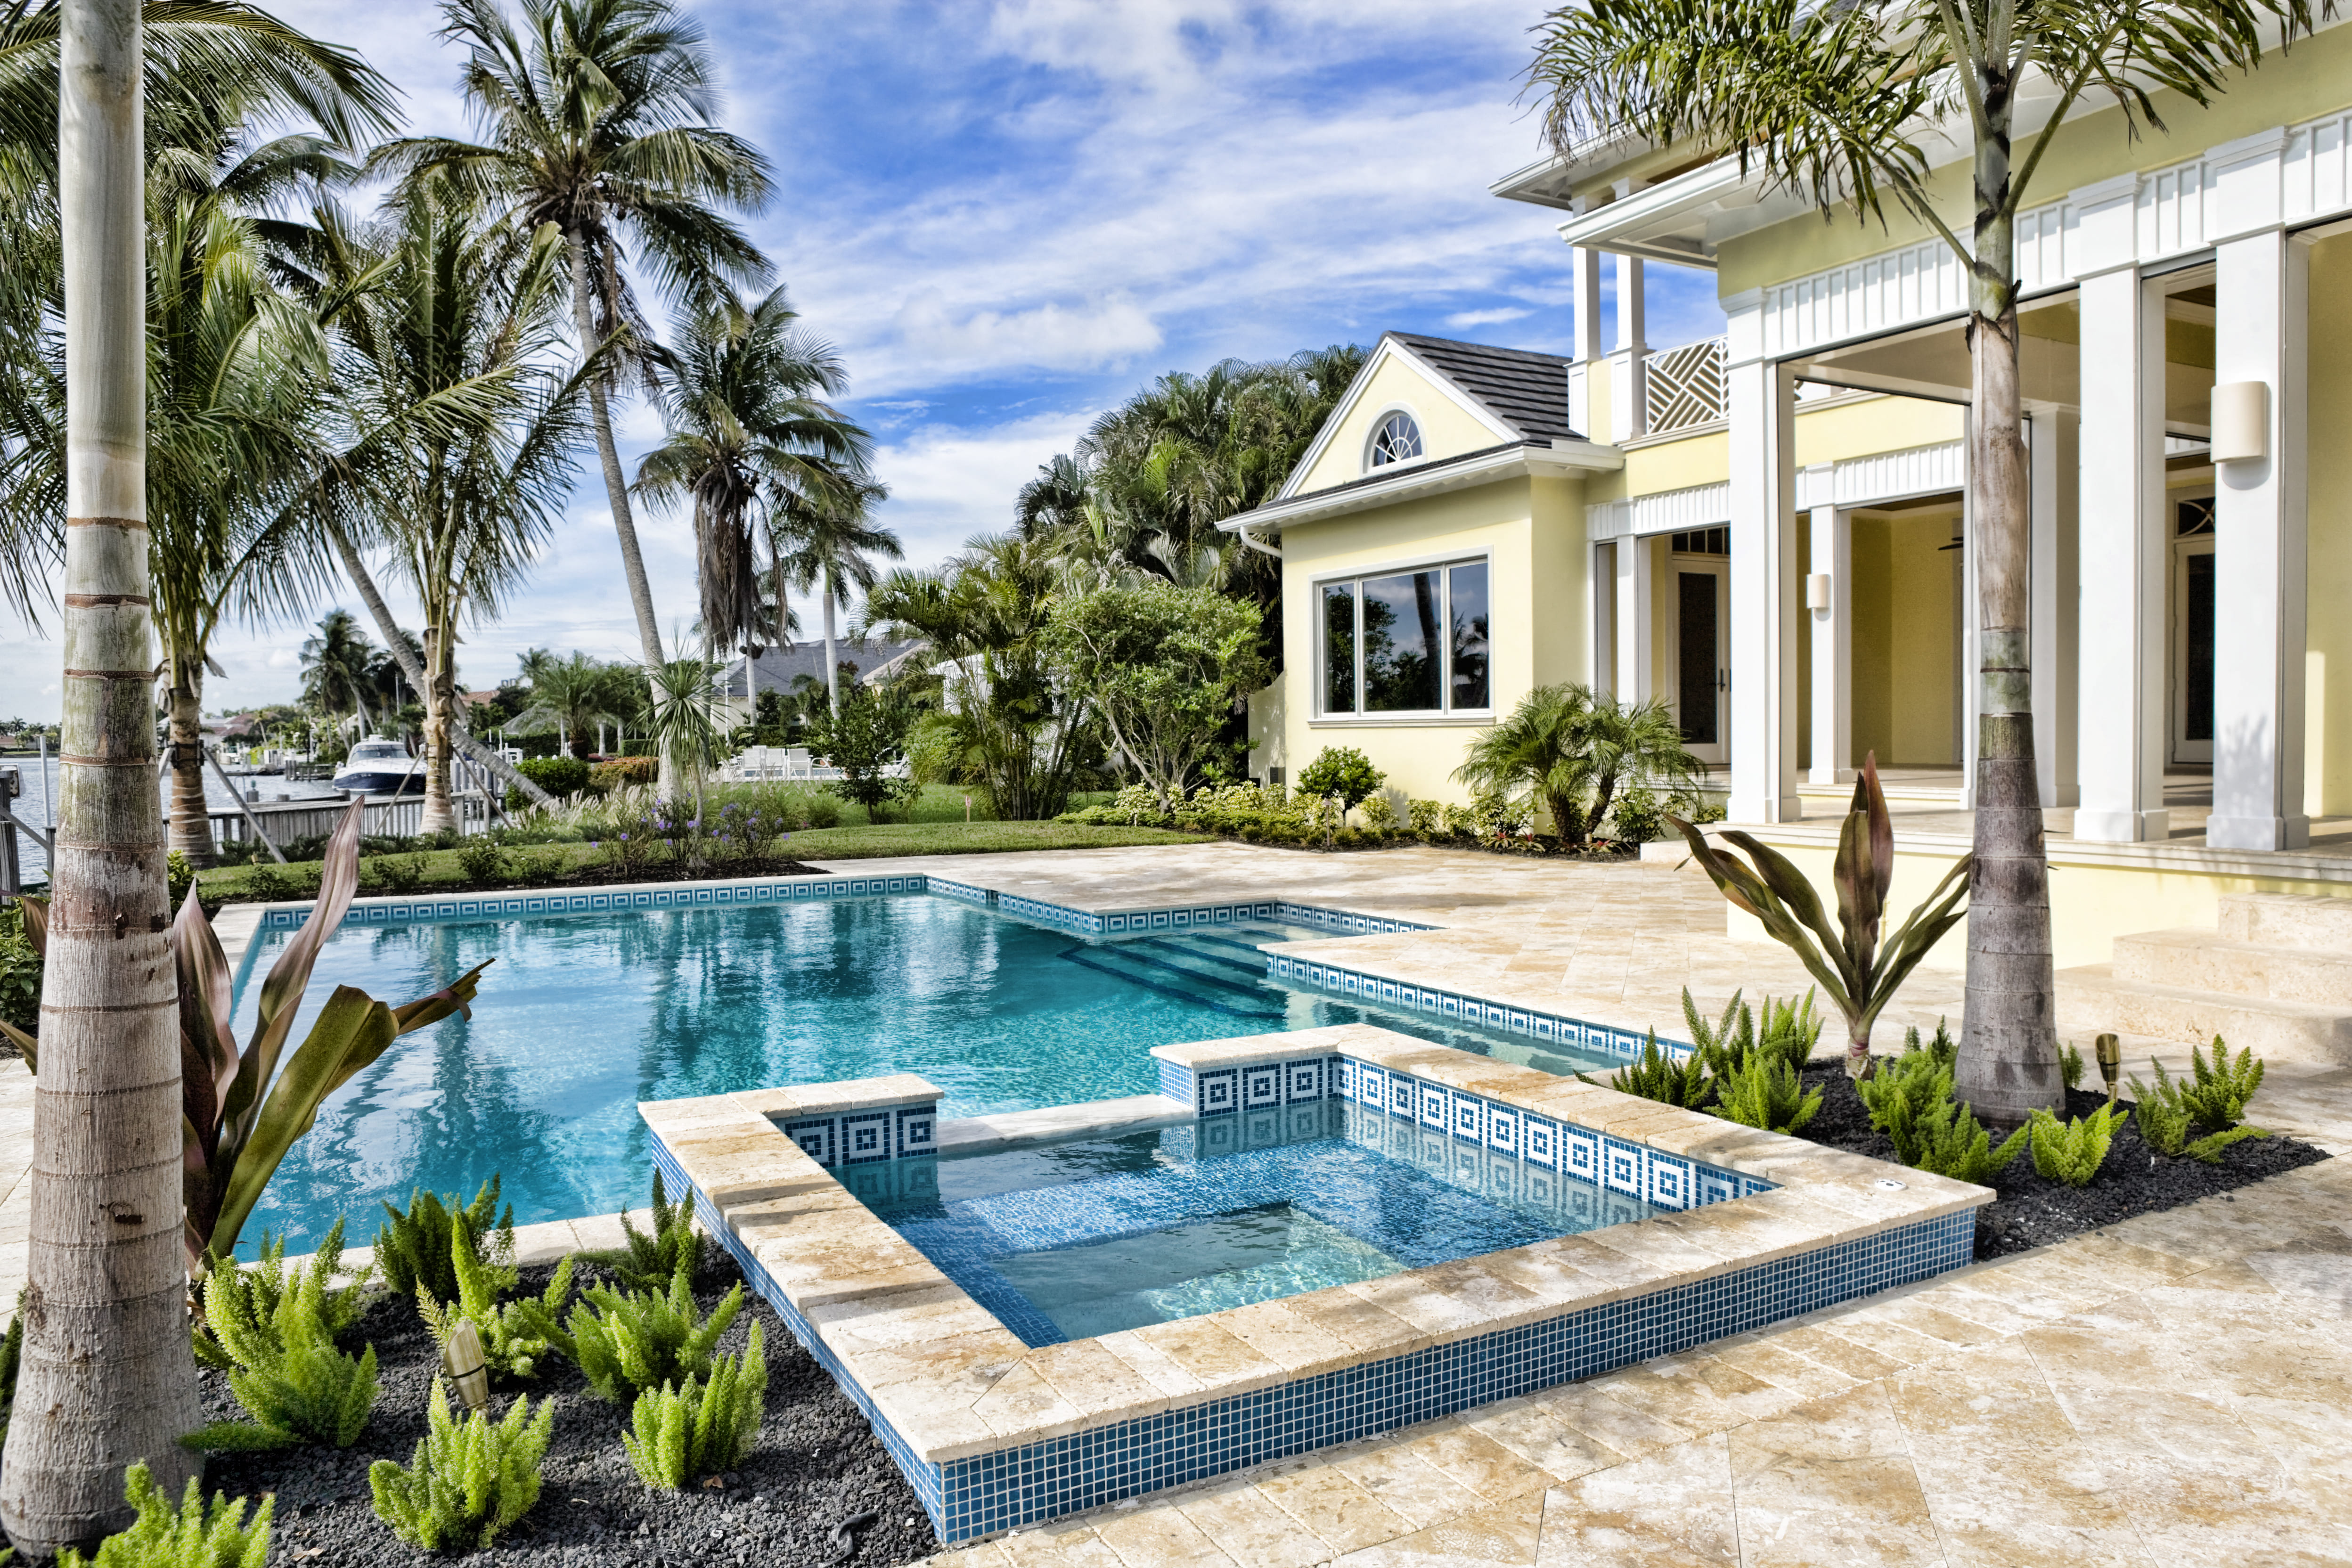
(584, 1017)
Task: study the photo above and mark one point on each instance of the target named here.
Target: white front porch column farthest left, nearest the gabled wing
(1763, 408)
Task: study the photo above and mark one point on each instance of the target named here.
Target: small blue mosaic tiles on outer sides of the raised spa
(996, 1492)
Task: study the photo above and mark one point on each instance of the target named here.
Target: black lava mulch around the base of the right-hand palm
(2036, 1212)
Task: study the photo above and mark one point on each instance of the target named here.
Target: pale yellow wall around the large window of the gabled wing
(1535, 535)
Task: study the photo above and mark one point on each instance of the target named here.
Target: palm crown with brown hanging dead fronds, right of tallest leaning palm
(751, 443)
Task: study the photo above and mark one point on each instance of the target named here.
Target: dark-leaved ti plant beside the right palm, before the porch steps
(1852, 965)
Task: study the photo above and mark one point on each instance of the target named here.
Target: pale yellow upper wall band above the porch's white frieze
(2290, 88)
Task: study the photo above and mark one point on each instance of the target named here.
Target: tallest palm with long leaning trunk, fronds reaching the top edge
(599, 121)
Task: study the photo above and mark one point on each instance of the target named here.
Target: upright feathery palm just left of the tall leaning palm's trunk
(457, 434)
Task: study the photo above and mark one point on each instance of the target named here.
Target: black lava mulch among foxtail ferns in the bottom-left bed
(817, 1466)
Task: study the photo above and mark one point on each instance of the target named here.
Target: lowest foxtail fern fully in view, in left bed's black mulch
(465, 1482)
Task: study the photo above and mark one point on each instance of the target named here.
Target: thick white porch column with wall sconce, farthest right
(2259, 549)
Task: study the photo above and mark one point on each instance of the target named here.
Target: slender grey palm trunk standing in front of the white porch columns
(2010, 1040)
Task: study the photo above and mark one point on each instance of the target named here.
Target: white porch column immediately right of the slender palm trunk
(2125, 556)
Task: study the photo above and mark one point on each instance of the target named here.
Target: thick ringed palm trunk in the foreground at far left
(107, 1376)
